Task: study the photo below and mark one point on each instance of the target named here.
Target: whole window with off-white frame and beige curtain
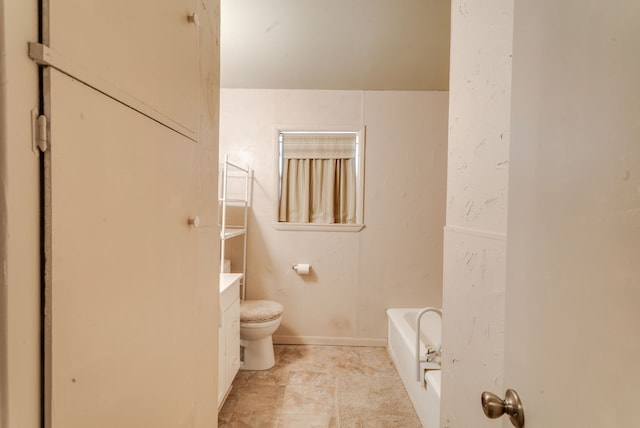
(320, 180)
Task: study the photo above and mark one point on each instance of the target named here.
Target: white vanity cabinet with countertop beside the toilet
(228, 333)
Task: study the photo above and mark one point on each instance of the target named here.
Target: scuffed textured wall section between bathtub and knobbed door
(475, 235)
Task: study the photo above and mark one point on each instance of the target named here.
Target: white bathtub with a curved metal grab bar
(424, 394)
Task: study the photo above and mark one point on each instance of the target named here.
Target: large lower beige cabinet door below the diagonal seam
(122, 333)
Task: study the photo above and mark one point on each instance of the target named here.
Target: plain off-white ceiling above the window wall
(335, 44)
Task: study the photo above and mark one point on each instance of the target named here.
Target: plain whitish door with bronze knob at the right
(573, 252)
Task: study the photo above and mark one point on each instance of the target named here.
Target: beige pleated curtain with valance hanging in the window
(318, 182)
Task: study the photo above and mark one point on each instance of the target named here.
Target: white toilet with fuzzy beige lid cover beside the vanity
(259, 319)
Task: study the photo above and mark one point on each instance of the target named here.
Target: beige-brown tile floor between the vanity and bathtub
(321, 386)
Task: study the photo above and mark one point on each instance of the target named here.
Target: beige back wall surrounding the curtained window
(396, 260)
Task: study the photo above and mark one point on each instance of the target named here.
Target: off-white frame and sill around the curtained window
(360, 131)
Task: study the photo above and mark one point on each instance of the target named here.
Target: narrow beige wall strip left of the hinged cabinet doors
(19, 221)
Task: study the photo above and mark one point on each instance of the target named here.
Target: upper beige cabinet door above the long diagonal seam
(146, 48)
